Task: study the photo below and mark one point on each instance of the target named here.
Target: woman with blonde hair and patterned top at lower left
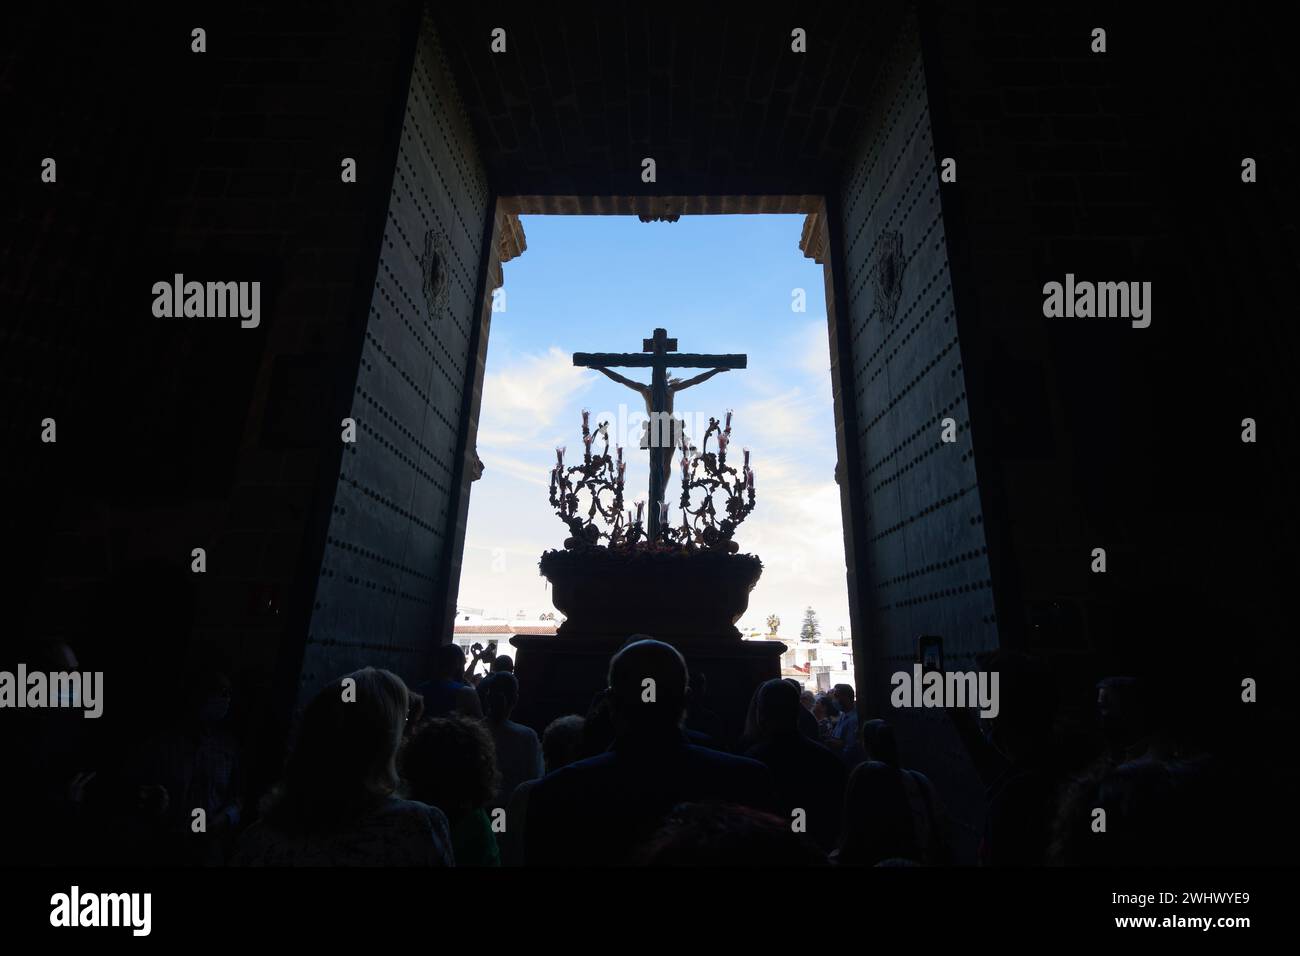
(336, 804)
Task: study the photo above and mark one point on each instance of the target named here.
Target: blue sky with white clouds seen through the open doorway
(718, 284)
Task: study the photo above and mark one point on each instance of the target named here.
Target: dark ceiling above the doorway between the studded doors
(713, 94)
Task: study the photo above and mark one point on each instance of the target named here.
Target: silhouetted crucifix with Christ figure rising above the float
(658, 399)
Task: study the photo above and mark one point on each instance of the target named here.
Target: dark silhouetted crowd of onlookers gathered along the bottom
(441, 776)
